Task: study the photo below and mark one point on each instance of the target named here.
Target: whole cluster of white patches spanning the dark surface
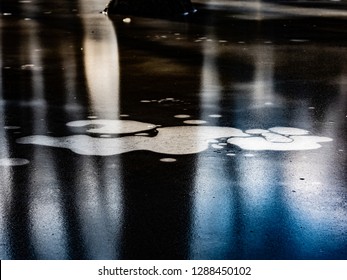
(178, 140)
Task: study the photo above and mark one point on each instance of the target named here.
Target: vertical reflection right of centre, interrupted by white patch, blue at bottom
(213, 207)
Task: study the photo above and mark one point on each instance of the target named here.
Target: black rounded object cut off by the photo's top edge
(151, 8)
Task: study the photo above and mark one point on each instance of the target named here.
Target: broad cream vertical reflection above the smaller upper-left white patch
(100, 50)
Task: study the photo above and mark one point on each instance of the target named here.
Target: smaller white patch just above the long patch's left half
(113, 126)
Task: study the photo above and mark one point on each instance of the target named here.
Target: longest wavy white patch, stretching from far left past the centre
(179, 140)
